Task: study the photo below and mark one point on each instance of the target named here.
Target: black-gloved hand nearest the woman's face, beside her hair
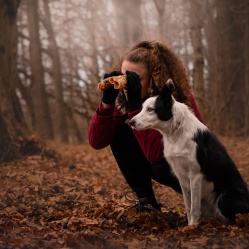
(133, 91)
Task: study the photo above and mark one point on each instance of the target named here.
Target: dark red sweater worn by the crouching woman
(105, 121)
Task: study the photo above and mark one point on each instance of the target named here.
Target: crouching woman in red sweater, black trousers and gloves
(139, 154)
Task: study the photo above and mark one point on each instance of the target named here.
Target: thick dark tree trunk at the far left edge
(12, 124)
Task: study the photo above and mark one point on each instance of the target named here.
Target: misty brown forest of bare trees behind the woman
(54, 53)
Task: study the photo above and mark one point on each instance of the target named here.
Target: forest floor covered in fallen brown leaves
(77, 199)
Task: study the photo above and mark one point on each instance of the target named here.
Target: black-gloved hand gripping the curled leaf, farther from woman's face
(109, 95)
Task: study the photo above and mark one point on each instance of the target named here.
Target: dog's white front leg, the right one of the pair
(196, 191)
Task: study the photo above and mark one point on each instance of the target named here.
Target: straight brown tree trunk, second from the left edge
(43, 121)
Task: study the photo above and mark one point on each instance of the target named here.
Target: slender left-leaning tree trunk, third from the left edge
(57, 76)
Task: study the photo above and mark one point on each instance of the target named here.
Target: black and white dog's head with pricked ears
(155, 109)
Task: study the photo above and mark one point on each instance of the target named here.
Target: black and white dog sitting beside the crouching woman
(211, 183)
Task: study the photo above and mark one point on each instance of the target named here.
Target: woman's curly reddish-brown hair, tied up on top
(162, 63)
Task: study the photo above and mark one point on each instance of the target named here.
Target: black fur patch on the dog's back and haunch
(218, 167)
